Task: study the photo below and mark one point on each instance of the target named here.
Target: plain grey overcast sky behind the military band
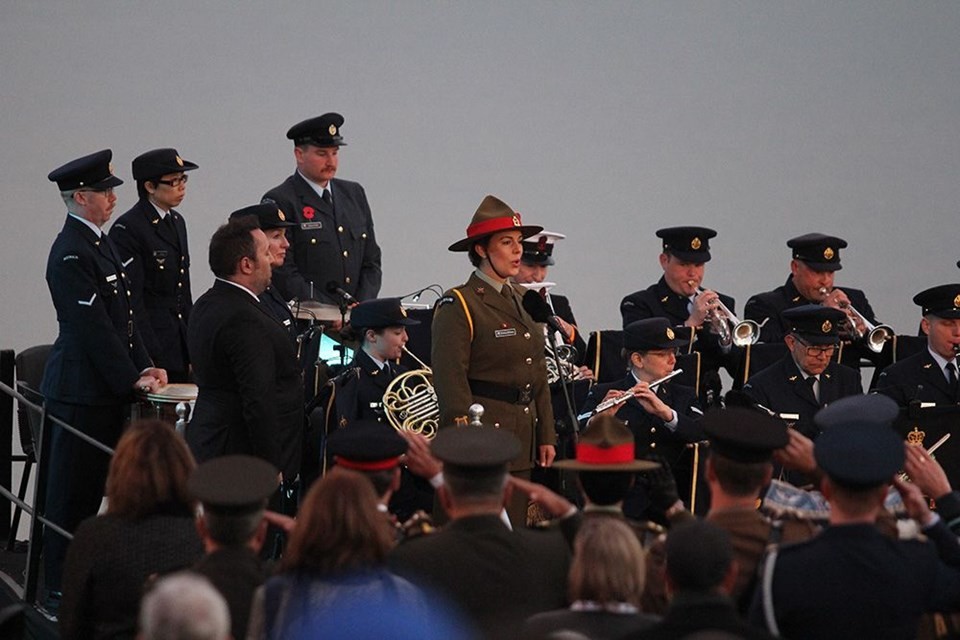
(601, 120)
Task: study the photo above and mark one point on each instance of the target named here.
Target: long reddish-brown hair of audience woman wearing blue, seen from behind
(339, 528)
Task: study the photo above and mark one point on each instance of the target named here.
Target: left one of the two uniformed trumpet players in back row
(679, 297)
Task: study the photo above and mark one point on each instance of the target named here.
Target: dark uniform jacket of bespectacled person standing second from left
(156, 258)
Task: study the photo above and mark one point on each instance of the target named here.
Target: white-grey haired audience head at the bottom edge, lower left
(184, 606)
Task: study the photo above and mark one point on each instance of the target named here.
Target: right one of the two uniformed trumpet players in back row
(816, 259)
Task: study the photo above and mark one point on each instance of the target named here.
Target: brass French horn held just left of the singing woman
(410, 401)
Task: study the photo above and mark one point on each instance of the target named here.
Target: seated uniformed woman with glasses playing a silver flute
(664, 418)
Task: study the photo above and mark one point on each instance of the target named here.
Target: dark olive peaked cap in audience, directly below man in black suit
(234, 484)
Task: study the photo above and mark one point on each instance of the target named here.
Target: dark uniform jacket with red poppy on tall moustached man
(329, 242)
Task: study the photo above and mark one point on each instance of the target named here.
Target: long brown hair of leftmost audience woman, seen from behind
(149, 472)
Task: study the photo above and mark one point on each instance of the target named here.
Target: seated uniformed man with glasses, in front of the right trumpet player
(807, 378)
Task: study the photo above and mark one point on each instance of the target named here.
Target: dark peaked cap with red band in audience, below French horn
(366, 445)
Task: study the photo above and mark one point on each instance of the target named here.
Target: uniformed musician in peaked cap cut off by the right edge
(931, 375)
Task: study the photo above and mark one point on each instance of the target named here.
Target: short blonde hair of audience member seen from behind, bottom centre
(608, 563)
